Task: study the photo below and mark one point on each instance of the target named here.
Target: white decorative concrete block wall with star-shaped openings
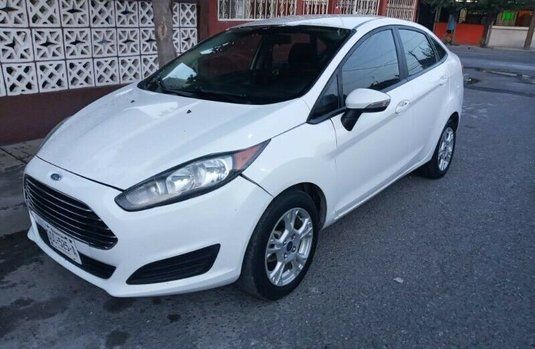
(51, 45)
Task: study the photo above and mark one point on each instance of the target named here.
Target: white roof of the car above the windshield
(335, 21)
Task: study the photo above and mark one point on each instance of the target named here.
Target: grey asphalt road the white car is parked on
(464, 247)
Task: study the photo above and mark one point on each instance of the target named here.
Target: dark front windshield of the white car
(251, 65)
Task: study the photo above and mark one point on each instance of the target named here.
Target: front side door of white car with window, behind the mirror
(377, 150)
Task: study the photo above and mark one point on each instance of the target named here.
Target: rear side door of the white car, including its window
(428, 81)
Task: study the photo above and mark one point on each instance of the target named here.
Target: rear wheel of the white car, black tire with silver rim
(435, 168)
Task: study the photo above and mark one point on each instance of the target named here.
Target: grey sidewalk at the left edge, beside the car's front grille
(13, 158)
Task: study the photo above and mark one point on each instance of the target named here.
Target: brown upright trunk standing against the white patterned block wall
(163, 25)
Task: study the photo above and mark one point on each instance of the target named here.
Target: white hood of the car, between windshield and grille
(133, 134)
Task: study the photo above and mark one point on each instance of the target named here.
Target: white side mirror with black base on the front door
(363, 100)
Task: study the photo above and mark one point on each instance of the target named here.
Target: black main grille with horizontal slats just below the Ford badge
(68, 215)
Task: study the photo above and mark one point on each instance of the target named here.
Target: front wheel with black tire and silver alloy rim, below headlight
(296, 206)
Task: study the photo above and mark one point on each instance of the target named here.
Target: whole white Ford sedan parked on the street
(226, 163)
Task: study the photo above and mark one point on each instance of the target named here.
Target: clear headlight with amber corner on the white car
(188, 180)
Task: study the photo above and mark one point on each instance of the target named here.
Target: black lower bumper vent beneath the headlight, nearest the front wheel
(175, 268)
